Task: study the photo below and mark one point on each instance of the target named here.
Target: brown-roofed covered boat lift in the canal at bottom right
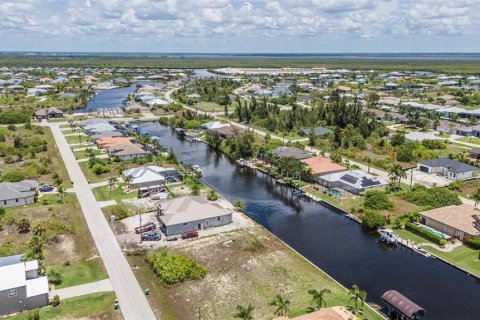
(402, 308)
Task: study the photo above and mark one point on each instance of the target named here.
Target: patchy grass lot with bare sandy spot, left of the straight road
(68, 247)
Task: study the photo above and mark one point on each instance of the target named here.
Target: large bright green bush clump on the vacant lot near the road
(171, 269)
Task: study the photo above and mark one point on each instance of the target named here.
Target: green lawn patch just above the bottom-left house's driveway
(79, 272)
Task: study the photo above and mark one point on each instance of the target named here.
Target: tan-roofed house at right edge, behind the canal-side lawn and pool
(461, 221)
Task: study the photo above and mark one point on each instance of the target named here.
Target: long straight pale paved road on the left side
(133, 303)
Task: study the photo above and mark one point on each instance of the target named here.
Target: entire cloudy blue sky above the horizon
(233, 26)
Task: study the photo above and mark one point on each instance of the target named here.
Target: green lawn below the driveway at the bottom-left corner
(89, 306)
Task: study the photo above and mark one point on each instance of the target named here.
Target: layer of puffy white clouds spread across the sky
(161, 21)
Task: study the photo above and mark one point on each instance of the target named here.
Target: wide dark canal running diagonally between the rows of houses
(335, 244)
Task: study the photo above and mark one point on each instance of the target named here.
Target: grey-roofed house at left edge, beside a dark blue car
(14, 194)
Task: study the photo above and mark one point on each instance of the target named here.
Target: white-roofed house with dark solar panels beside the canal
(352, 181)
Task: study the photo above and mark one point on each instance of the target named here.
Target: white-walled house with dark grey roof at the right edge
(451, 169)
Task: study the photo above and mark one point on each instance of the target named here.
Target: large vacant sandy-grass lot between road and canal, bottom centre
(251, 267)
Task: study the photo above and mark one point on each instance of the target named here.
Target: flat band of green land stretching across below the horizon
(203, 62)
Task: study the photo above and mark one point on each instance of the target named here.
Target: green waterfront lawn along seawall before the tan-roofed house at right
(463, 257)
